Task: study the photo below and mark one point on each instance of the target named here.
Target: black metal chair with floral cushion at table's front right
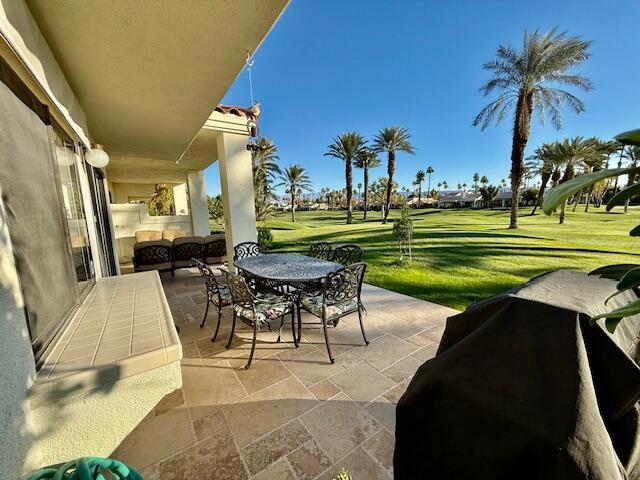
(340, 296)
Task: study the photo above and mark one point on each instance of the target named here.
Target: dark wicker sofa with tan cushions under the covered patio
(169, 250)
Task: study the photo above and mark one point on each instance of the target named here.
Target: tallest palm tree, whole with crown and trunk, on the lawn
(525, 78)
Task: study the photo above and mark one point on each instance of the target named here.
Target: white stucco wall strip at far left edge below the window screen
(17, 365)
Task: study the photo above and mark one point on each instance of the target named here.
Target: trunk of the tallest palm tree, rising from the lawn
(521, 131)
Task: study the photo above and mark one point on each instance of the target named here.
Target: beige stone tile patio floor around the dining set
(292, 415)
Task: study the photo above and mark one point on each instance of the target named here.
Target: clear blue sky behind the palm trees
(332, 66)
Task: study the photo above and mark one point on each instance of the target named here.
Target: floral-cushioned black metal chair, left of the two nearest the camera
(257, 309)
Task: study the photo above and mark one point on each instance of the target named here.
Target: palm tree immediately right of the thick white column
(264, 156)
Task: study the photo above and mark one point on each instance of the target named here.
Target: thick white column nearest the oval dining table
(236, 181)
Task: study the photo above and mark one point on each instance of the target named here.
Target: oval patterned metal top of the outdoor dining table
(286, 268)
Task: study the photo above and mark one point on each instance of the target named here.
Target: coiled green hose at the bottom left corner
(86, 468)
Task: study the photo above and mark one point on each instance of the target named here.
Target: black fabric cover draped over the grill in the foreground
(523, 387)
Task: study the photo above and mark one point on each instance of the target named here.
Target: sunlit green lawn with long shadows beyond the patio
(461, 256)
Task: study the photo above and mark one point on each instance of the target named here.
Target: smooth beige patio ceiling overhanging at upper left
(146, 74)
